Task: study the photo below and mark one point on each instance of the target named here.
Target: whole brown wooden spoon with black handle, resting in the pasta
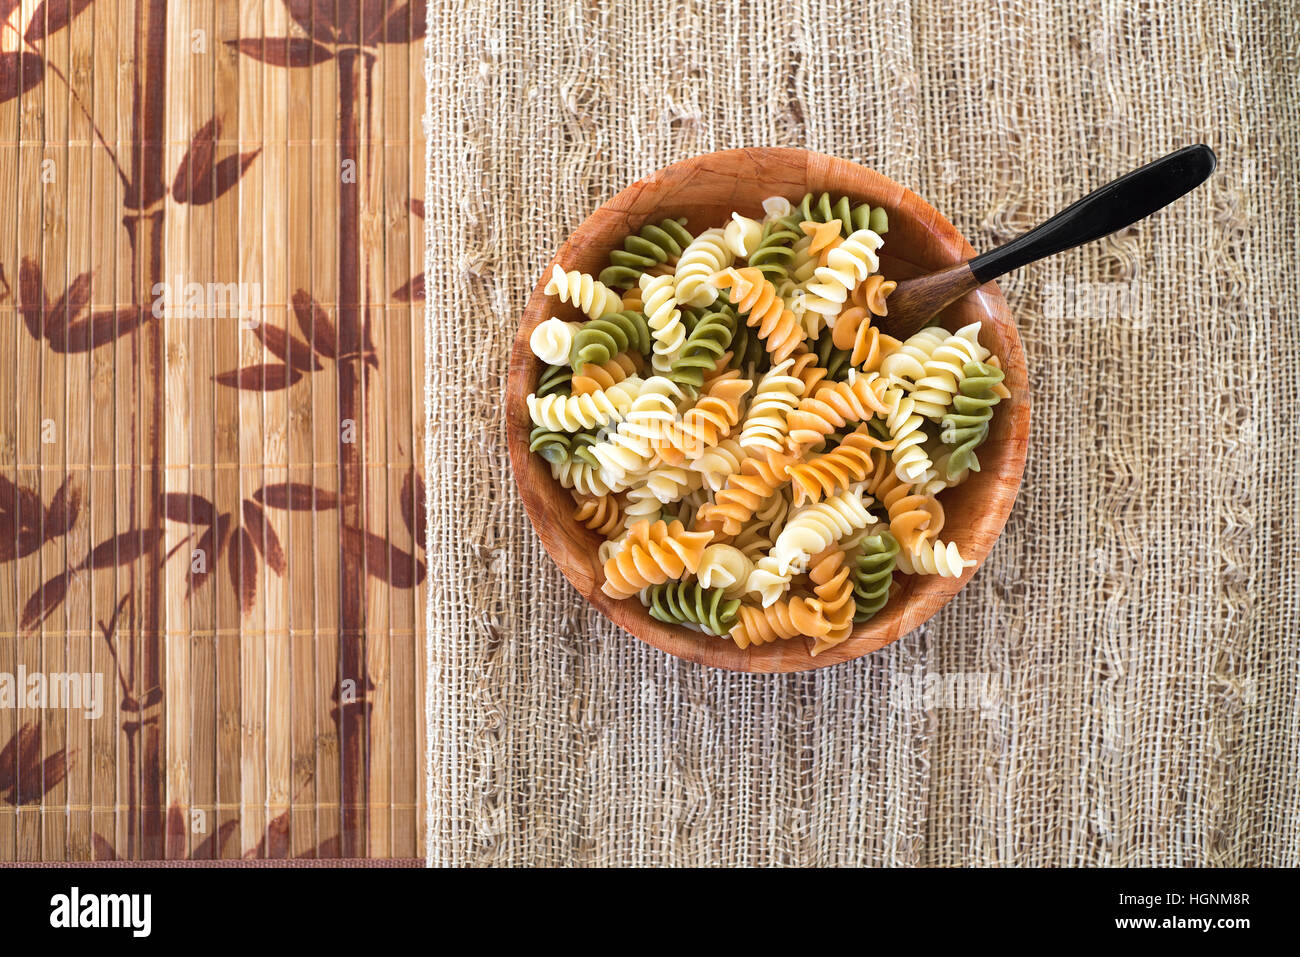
(1115, 206)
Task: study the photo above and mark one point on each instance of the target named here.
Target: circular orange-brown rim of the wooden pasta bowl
(561, 538)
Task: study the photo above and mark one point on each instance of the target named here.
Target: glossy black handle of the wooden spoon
(1102, 213)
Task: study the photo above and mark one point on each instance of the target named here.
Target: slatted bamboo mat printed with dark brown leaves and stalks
(211, 406)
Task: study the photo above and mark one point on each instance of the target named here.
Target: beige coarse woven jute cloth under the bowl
(1119, 683)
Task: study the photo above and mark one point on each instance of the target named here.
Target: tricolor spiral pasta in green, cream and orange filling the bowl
(760, 466)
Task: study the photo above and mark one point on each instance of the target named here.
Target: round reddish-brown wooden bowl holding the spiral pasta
(705, 190)
